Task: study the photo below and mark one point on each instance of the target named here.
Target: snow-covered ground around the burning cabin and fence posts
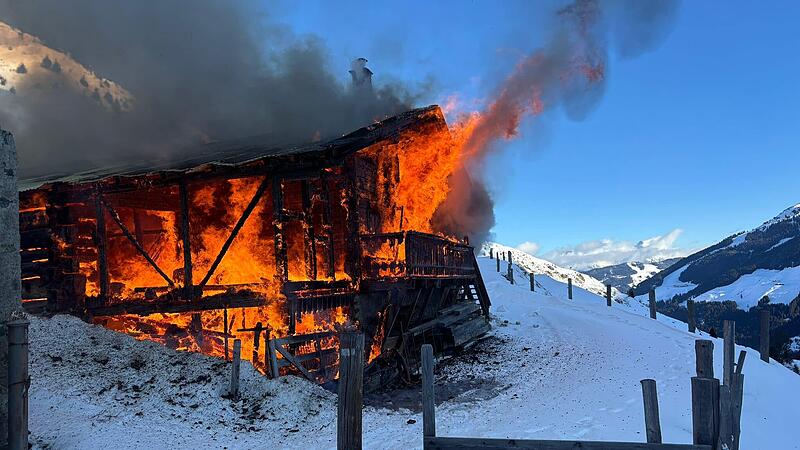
(552, 368)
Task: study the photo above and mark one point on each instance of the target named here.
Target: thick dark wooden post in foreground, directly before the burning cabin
(351, 379)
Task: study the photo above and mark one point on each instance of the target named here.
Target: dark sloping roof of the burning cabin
(241, 152)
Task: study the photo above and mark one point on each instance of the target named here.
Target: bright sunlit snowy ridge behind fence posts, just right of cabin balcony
(539, 266)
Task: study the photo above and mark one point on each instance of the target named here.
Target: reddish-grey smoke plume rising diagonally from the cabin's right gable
(566, 74)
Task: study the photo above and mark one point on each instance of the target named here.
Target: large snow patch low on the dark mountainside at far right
(782, 286)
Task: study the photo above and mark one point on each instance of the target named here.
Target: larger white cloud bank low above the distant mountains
(606, 252)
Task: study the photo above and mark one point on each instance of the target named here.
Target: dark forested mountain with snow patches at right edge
(743, 268)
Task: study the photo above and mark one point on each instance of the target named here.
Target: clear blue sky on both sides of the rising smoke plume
(700, 134)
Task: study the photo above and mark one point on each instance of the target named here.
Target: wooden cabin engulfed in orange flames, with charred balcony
(279, 246)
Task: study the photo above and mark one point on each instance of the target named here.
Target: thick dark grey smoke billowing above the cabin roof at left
(196, 71)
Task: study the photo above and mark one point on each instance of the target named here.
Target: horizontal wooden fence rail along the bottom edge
(459, 443)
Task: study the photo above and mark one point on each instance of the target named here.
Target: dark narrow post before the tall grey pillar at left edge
(18, 383)
